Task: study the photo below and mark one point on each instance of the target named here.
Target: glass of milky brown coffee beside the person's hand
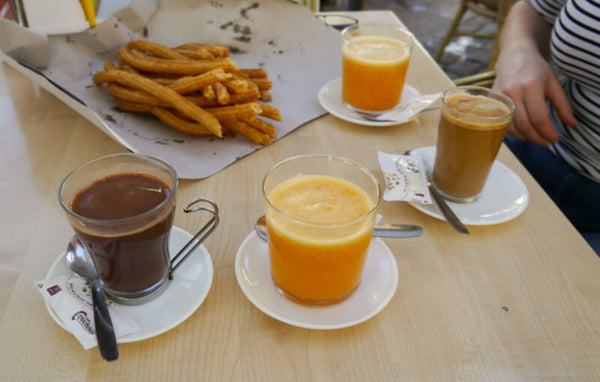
(473, 123)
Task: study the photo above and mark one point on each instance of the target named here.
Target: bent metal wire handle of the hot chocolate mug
(200, 204)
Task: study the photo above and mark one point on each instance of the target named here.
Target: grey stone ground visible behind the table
(429, 21)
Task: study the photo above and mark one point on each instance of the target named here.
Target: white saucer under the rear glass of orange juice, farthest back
(330, 97)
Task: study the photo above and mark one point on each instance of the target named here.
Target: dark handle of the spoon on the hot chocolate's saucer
(105, 333)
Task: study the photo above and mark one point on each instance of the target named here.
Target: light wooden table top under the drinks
(513, 301)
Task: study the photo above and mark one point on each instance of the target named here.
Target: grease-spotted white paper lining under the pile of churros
(299, 51)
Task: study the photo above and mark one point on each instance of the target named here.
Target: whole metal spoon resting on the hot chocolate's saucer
(80, 262)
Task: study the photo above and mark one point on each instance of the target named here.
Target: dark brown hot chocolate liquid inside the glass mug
(130, 260)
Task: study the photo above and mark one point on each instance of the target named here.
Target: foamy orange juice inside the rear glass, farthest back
(373, 72)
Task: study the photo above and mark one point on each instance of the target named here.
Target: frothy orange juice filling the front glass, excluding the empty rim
(319, 263)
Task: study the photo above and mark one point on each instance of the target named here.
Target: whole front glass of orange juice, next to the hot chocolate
(320, 213)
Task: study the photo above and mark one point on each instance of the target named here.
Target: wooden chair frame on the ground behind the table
(493, 9)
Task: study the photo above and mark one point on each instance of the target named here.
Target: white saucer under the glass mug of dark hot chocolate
(184, 294)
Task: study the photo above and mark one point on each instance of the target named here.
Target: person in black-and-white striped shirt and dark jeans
(549, 64)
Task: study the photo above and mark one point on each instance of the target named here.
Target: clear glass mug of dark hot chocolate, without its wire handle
(121, 208)
